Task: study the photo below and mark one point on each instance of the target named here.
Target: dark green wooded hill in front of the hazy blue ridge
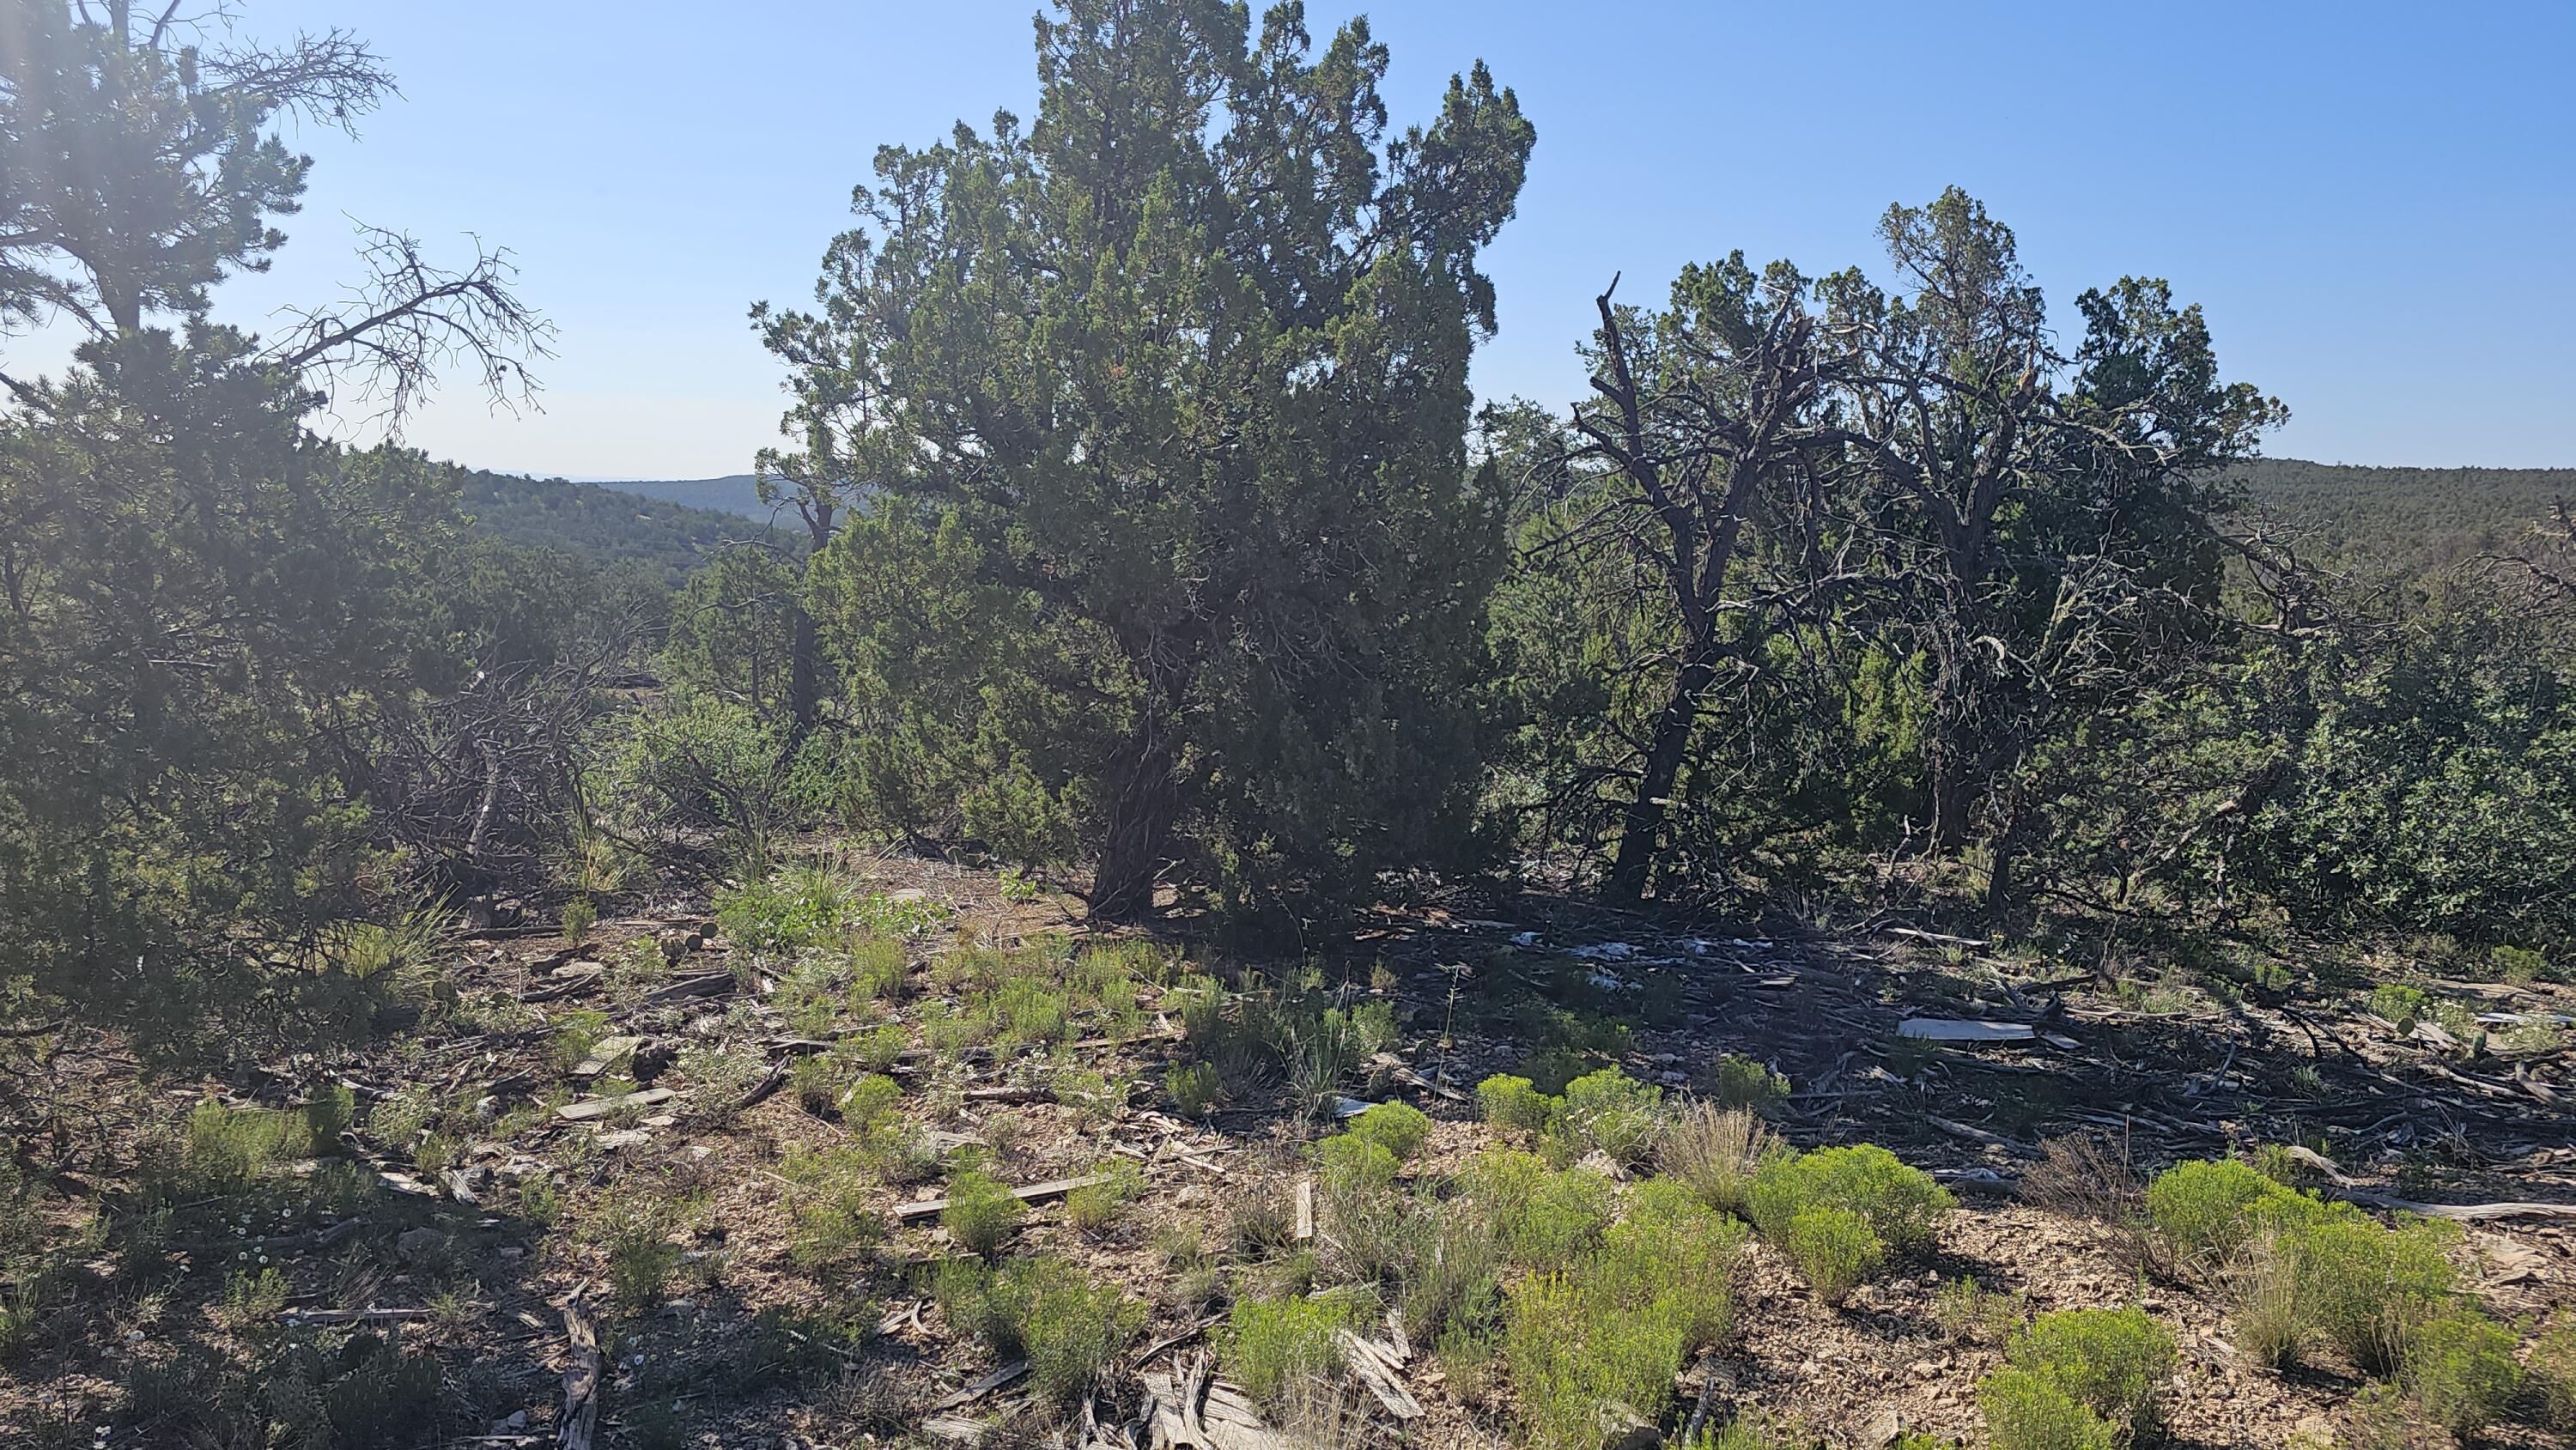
(599, 524)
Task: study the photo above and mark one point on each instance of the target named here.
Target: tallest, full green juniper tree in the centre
(1184, 364)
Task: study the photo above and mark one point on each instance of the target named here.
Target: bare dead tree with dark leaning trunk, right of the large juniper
(1701, 411)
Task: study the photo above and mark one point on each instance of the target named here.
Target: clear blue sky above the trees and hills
(2374, 202)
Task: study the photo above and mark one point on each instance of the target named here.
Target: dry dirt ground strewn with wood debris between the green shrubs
(452, 1266)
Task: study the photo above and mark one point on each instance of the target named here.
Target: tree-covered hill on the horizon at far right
(2405, 519)
